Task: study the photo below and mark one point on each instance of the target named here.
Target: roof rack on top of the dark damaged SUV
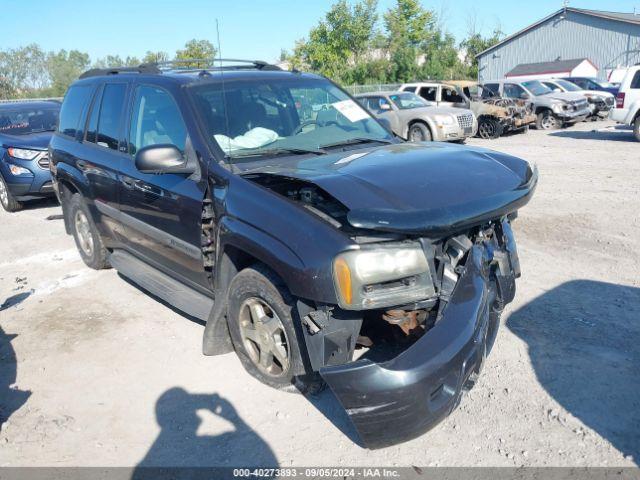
(189, 65)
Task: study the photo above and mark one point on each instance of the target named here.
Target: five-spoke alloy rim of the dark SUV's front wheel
(264, 337)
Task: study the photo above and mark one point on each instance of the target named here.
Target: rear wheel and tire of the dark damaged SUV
(88, 240)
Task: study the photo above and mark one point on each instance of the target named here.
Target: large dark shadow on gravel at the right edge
(583, 339)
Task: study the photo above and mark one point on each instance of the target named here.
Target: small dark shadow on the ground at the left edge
(11, 398)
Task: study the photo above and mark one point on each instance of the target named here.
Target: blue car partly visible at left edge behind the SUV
(25, 131)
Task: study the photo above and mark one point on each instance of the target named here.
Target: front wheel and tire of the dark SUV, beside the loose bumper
(255, 293)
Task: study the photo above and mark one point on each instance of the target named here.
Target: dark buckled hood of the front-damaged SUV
(430, 188)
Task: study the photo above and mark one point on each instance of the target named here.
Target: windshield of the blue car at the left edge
(22, 120)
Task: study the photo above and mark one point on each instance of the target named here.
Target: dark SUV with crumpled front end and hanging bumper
(311, 240)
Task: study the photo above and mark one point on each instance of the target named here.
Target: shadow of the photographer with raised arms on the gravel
(180, 445)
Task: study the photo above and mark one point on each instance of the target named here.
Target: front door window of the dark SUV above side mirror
(155, 120)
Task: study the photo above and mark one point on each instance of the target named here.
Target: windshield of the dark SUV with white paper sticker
(267, 117)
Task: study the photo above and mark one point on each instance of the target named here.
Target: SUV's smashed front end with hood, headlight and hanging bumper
(420, 290)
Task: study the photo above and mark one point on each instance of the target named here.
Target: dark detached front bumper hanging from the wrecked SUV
(400, 399)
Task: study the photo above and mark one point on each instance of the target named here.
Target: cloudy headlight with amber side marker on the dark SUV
(383, 276)
